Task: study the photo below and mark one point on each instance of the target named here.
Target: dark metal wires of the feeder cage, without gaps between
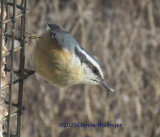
(5, 6)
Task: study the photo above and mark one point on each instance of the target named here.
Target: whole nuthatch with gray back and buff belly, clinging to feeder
(63, 62)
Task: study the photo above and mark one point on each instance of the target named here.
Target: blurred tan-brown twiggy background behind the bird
(125, 37)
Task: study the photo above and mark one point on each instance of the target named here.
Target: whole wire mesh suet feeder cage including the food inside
(13, 16)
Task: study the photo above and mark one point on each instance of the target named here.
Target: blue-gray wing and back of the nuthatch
(63, 39)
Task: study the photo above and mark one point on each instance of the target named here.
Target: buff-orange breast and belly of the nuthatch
(54, 64)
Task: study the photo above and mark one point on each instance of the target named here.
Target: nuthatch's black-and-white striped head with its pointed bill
(91, 69)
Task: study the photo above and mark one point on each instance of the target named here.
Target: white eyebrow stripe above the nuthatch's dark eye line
(93, 61)
